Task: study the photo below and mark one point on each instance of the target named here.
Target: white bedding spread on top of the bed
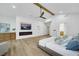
(50, 44)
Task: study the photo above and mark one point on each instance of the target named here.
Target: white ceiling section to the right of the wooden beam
(63, 8)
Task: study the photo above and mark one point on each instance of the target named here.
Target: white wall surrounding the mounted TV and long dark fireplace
(38, 27)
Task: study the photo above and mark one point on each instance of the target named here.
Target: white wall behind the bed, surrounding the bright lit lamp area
(71, 24)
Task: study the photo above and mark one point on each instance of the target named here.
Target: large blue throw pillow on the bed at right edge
(73, 45)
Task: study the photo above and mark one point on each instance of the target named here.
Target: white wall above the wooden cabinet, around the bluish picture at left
(11, 21)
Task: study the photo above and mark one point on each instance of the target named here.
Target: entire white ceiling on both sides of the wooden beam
(29, 9)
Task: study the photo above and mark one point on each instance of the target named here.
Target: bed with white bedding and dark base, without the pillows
(50, 46)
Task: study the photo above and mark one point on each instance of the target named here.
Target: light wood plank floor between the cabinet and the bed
(26, 47)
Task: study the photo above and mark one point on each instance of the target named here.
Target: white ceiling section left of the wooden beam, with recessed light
(20, 10)
